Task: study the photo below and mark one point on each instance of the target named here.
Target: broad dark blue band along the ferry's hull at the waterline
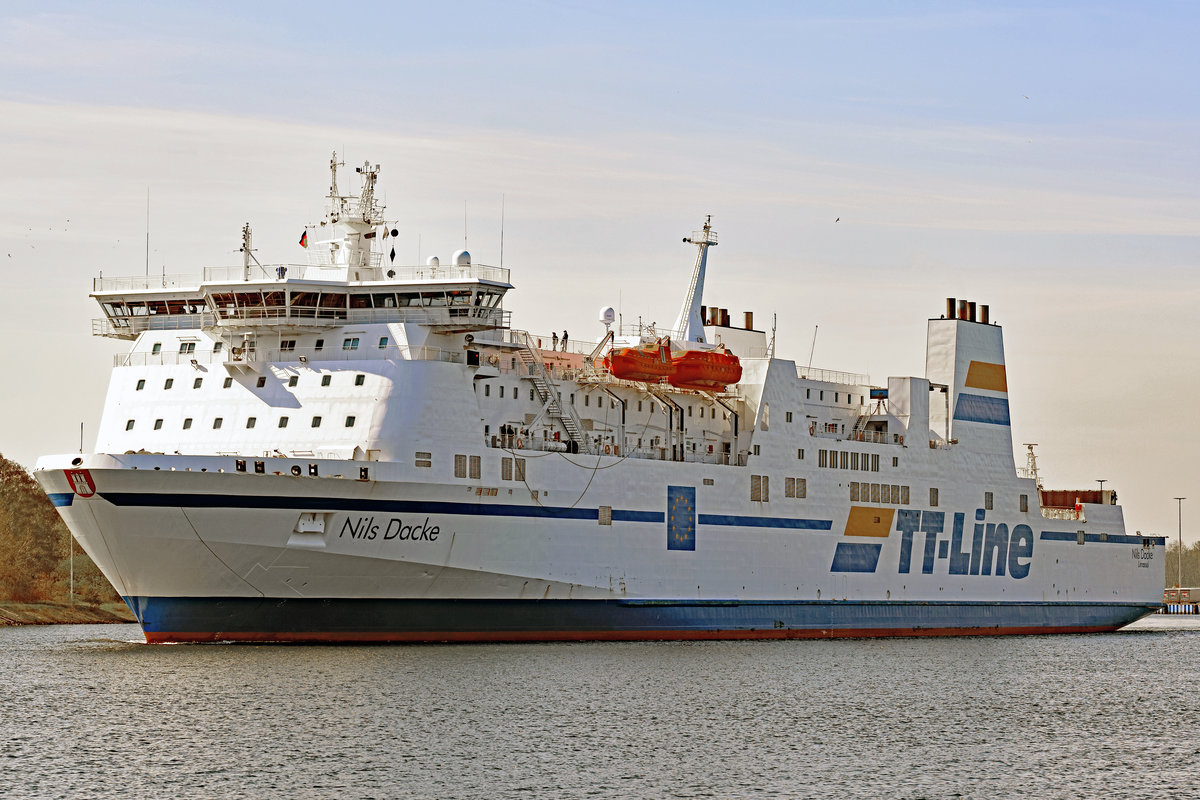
(493, 619)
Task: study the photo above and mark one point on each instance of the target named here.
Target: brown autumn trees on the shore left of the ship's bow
(37, 548)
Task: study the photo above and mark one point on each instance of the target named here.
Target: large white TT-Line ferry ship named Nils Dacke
(351, 450)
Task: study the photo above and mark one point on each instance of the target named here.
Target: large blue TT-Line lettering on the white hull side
(993, 548)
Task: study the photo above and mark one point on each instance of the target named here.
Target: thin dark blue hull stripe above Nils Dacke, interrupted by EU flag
(431, 507)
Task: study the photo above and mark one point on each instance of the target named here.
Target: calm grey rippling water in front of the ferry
(89, 712)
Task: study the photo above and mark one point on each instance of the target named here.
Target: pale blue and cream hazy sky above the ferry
(862, 163)
